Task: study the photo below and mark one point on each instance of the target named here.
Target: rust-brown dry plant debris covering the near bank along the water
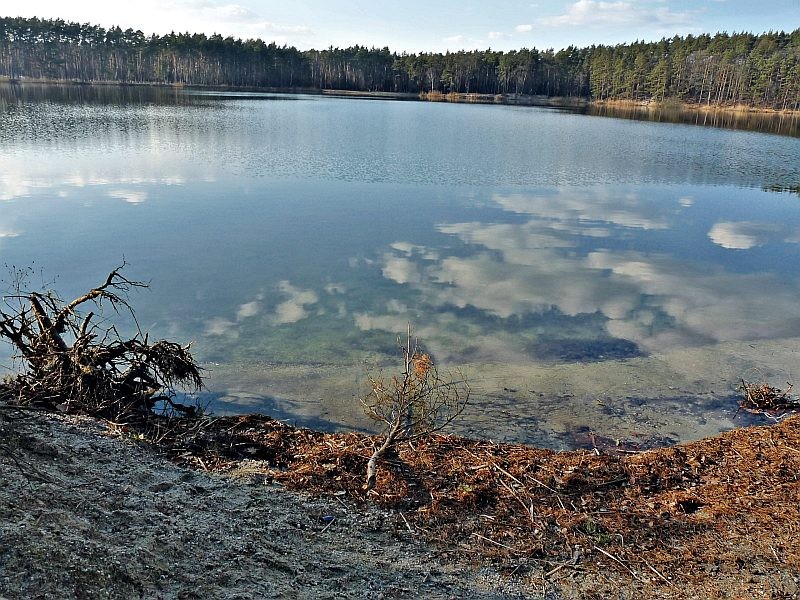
(663, 516)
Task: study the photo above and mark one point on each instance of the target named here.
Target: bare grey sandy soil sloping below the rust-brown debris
(88, 514)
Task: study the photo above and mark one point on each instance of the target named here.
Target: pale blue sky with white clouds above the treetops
(427, 25)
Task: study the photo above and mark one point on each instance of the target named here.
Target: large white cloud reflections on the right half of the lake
(657, 300)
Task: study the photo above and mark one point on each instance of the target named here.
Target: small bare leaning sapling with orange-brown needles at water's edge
(413, 404)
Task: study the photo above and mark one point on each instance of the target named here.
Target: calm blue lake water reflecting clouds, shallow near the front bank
(586, 273)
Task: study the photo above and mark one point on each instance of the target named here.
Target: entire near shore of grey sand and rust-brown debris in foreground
(92, 510)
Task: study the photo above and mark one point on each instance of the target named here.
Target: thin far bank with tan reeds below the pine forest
(576, 103)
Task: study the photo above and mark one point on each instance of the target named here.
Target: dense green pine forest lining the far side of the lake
(741, 68)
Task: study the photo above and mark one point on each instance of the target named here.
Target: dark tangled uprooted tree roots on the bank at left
(74, 364)
